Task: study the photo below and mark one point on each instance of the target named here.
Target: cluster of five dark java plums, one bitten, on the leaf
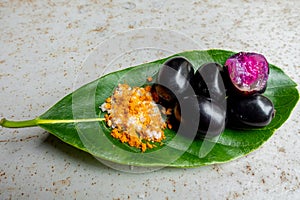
(216, 96)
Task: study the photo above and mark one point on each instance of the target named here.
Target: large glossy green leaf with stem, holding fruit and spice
(77, 120)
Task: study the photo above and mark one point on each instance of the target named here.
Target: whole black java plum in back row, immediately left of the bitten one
(209, 82)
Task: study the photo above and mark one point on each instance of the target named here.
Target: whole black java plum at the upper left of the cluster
(173, 79)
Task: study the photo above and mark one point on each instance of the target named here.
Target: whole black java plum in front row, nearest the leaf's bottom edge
(206, 115)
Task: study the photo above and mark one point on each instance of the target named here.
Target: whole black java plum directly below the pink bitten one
(256, 110)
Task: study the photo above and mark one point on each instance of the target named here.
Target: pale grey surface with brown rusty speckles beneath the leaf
(44, 43)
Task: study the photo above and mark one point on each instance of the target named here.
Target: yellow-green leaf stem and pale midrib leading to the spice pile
(37, 121)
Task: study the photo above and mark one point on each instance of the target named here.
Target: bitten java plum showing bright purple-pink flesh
(248, 72)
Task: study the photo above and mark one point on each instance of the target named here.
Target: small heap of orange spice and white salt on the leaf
(134, 117)
